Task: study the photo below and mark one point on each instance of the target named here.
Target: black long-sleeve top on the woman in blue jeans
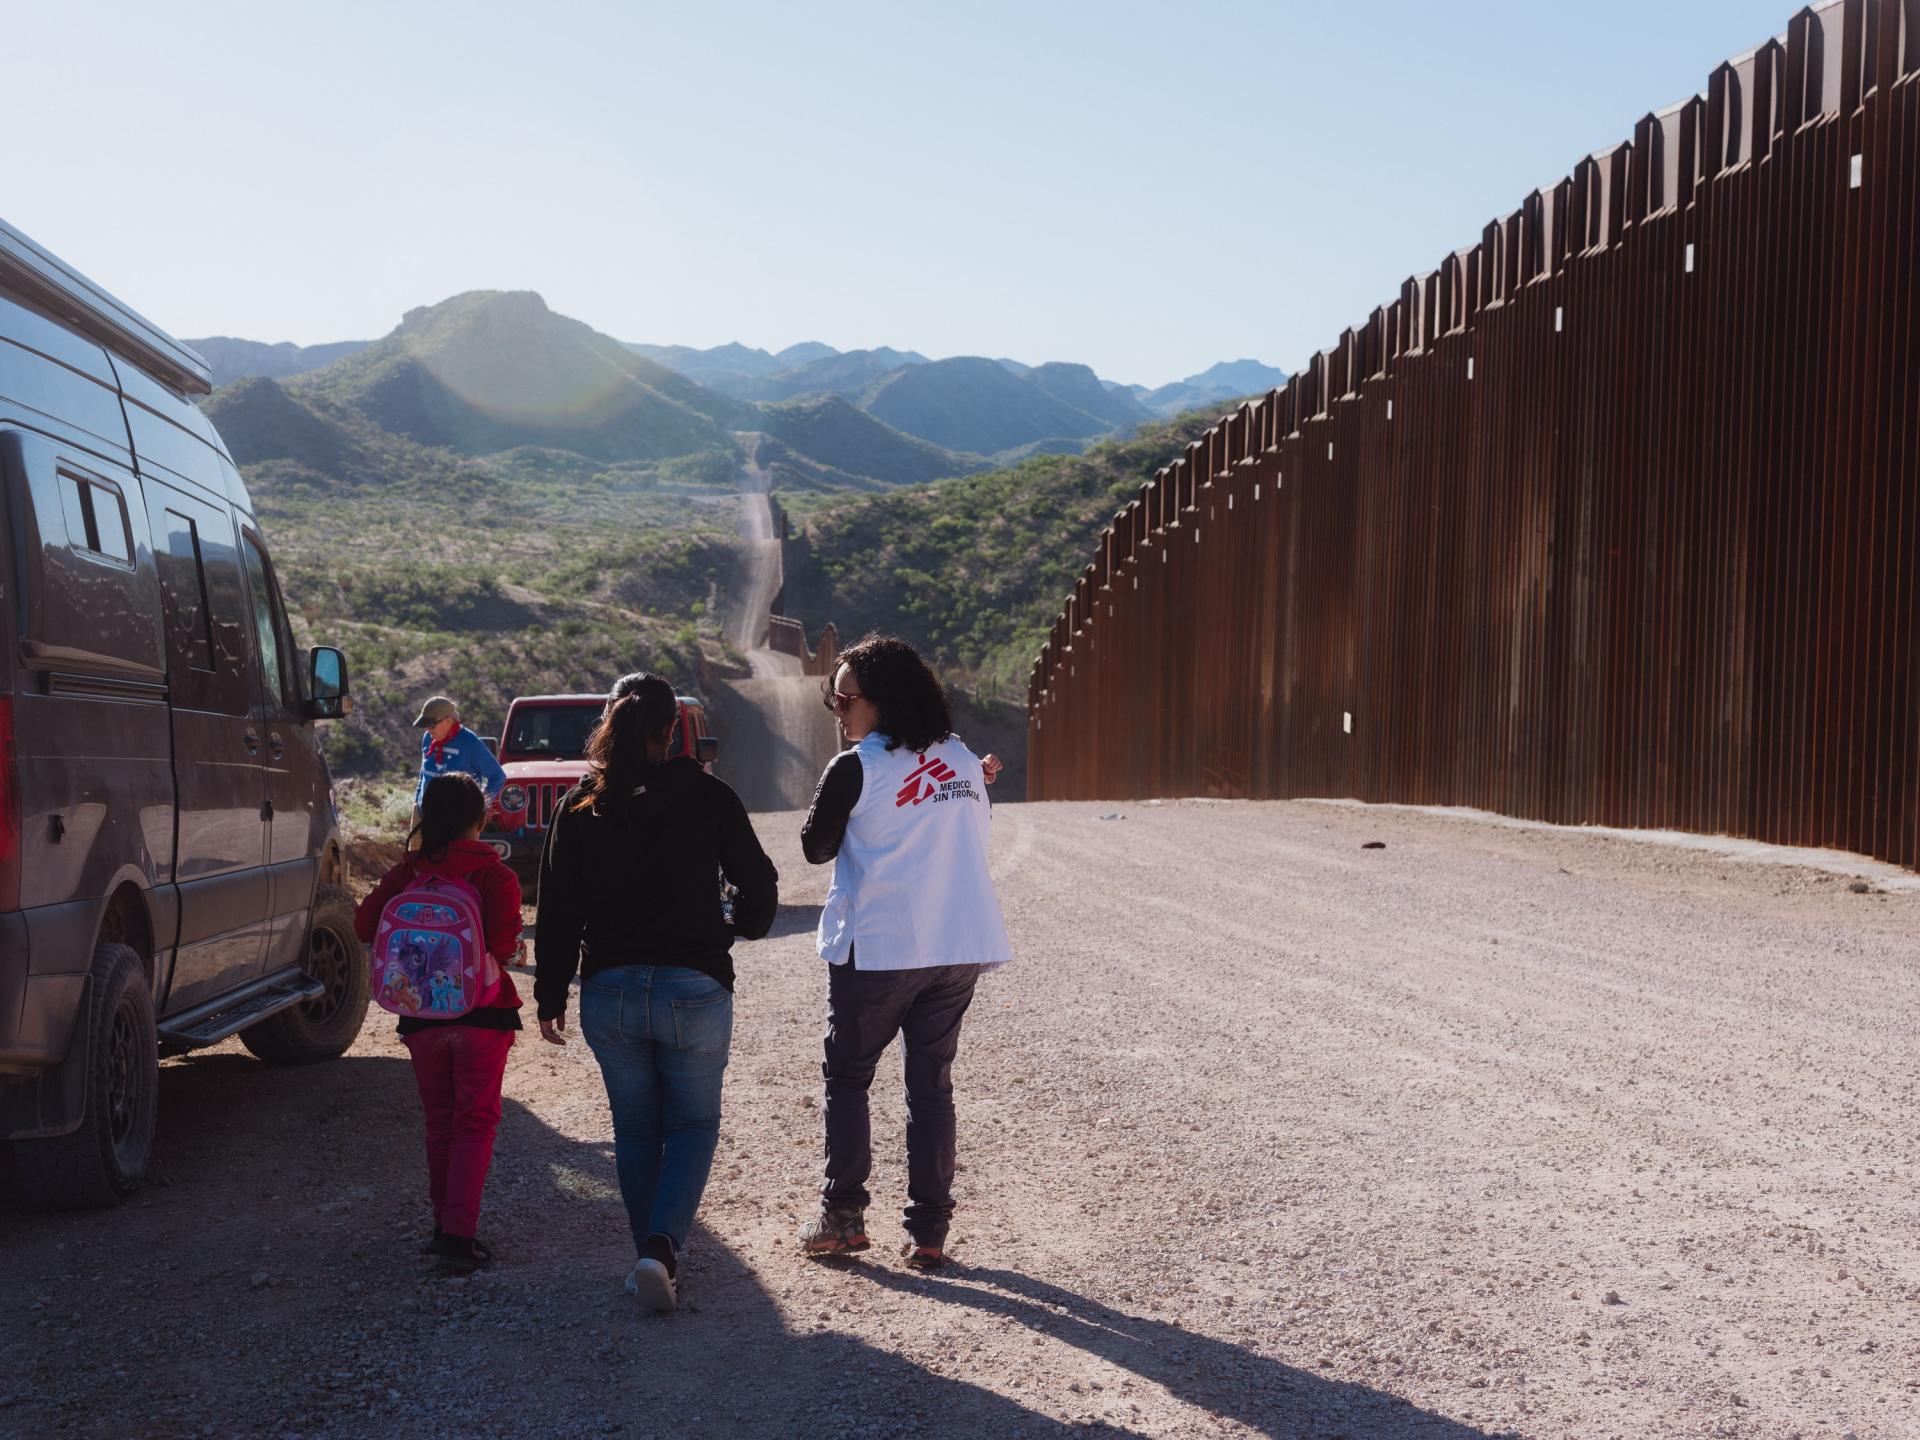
(636, 882)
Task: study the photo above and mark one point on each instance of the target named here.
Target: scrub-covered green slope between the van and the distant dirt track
(487, 587)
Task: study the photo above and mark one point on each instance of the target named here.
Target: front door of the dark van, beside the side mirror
(297, 802)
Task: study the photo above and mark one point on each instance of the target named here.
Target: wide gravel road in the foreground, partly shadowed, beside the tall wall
(1264, 1134)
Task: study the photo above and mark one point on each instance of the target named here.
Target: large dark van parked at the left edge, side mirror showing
(170, 857)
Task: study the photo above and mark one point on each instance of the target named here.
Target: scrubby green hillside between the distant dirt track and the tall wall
(974, 569)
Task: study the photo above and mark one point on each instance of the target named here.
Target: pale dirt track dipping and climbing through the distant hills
(775, 734)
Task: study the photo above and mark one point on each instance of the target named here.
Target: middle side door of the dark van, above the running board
(222, 850)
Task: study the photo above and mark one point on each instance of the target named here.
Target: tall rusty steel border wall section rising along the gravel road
(1610, 519)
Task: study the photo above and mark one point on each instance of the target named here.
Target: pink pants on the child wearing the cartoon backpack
(460, 1070)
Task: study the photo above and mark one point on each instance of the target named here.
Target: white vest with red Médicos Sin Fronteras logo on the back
(911, 882)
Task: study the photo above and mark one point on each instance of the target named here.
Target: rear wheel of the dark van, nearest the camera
(107, 1157)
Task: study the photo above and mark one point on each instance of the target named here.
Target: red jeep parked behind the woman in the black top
(544, 750)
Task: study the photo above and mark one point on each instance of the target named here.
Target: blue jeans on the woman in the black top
(661, 1036)
